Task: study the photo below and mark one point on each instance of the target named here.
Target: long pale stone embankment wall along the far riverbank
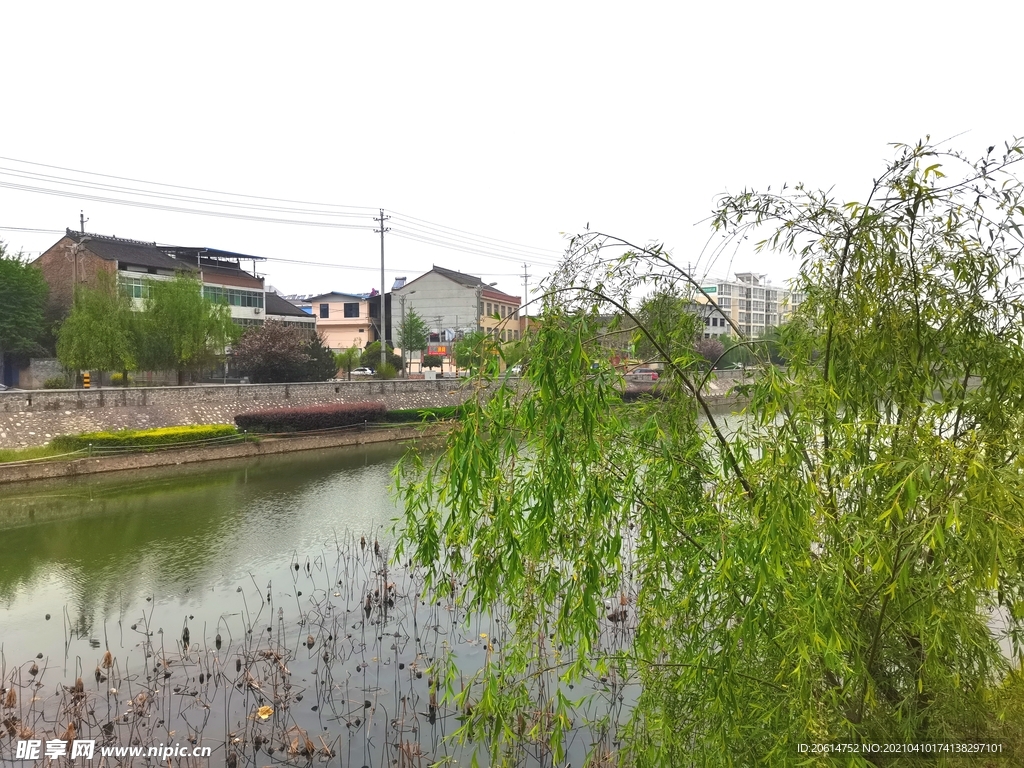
(32, 418)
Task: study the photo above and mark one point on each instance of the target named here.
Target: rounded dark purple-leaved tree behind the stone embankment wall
(273, 354)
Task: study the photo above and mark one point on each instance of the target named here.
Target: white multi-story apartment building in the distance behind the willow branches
(751, 302)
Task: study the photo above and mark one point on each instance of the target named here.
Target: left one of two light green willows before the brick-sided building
(101, 332)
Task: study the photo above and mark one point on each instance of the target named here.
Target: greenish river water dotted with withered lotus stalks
(222, 588)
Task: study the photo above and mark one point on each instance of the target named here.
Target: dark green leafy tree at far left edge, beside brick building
(23, 305)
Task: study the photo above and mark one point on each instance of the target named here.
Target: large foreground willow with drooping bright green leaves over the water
(826, 571)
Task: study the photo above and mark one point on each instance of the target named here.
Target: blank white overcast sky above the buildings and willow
(485, 131)
